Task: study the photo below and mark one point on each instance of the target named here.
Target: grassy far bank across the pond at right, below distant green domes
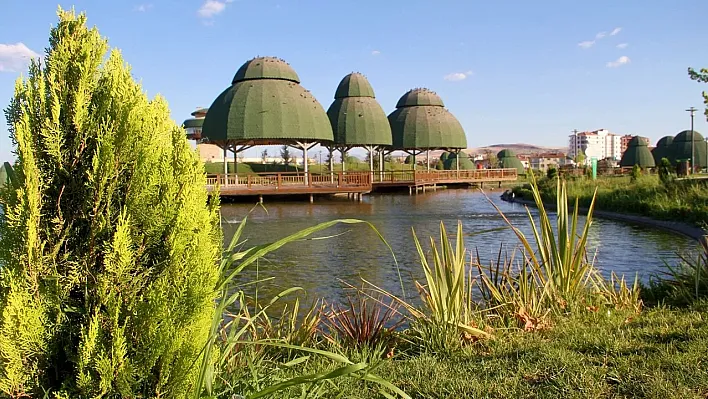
(680, 200)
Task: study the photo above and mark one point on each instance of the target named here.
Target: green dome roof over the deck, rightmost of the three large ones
(421, 122)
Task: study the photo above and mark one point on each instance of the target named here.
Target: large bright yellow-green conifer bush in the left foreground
(108, 242)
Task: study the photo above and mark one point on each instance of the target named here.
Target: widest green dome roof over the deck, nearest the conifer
(266, 105)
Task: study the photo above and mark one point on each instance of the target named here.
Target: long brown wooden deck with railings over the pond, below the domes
(293, 183)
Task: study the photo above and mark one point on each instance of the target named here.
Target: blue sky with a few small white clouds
(512, 71)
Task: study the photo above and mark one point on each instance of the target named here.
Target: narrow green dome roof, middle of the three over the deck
(356, 117)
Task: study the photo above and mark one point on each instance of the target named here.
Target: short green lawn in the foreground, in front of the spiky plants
(660, 353)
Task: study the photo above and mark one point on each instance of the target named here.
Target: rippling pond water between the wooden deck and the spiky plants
(355, 251)
